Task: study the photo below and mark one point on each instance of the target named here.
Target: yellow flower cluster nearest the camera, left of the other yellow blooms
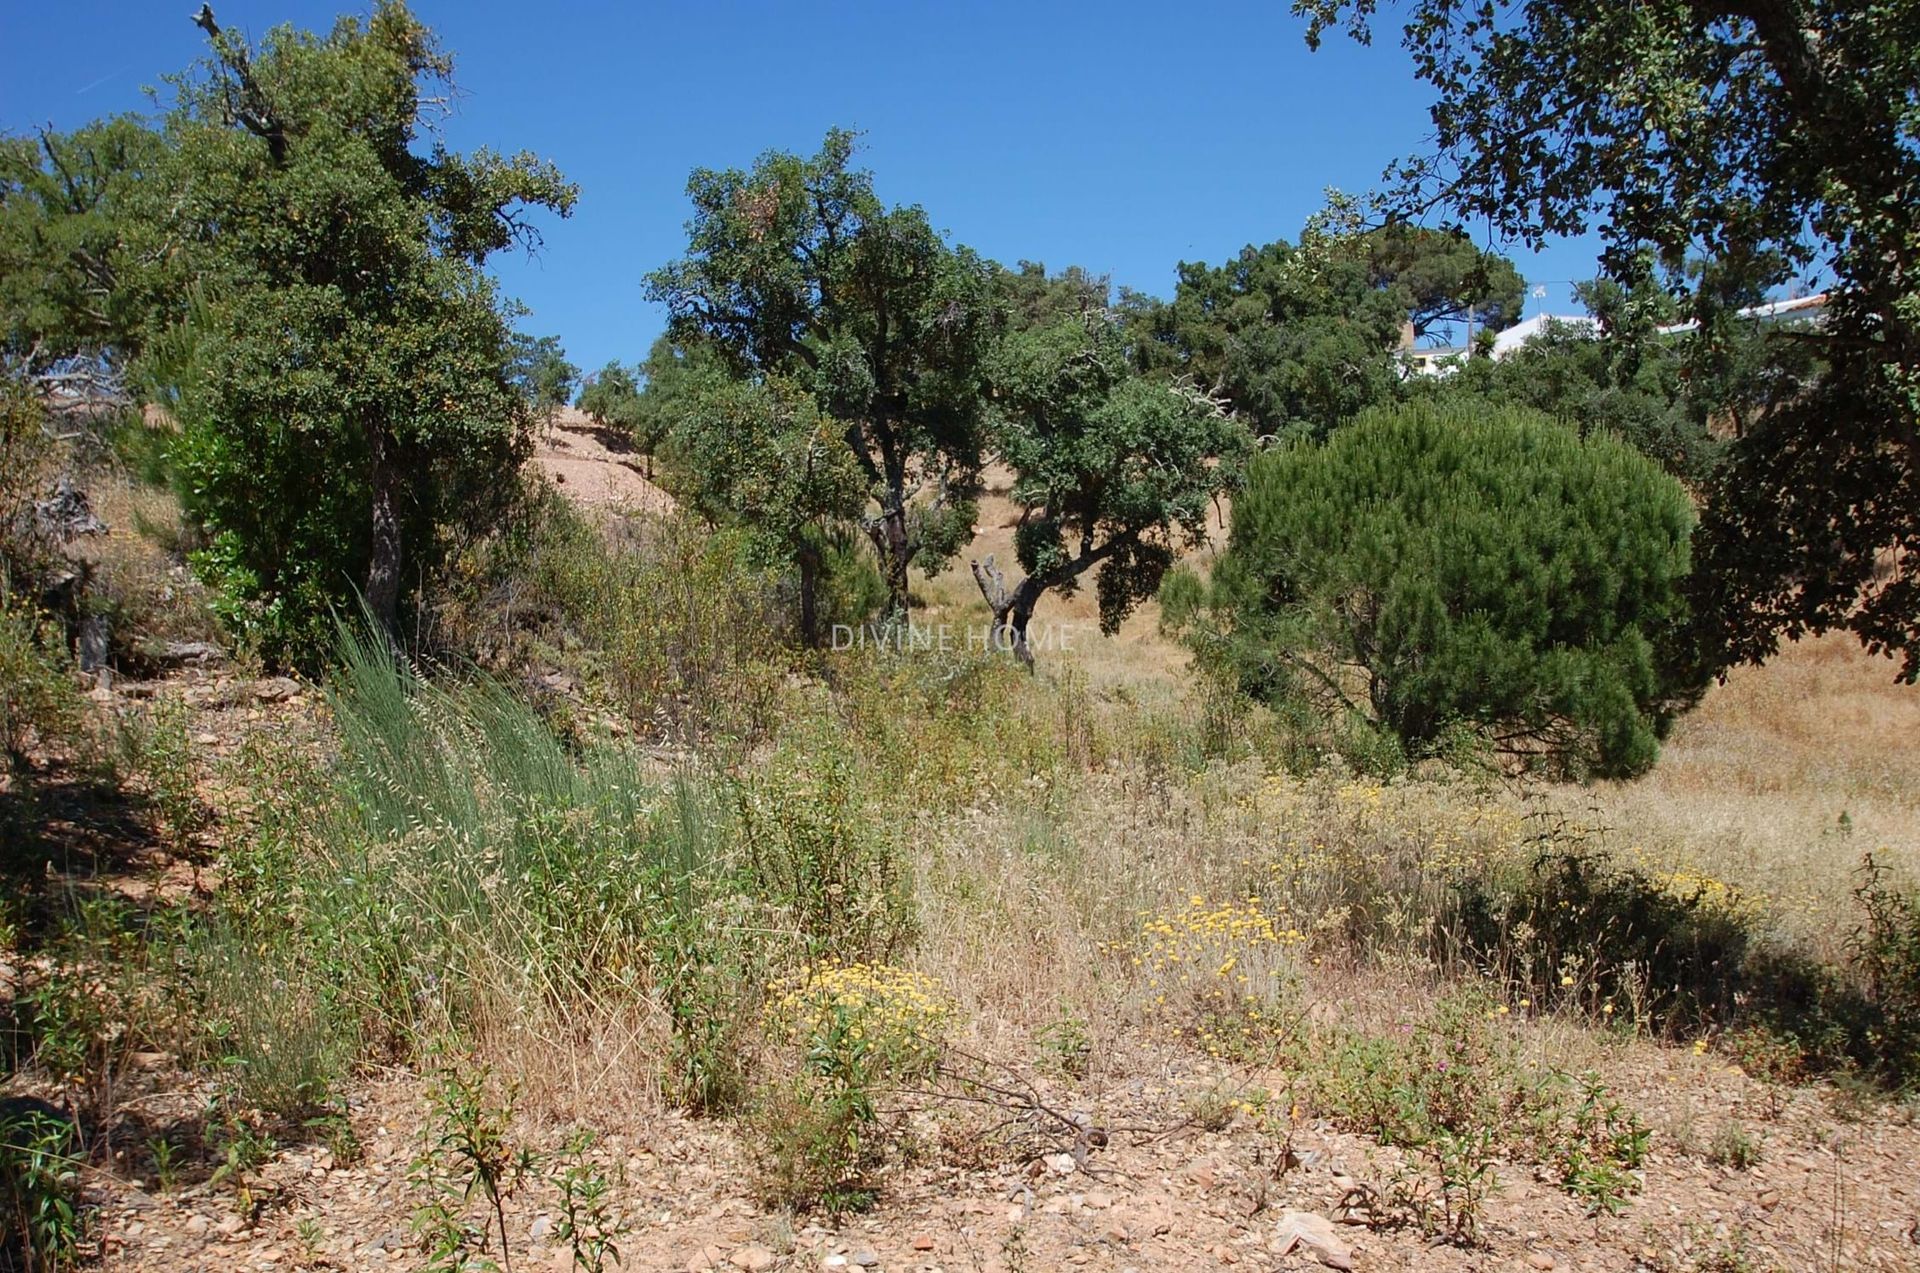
(894, 1013)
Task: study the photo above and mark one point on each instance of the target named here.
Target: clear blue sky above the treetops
(1122, 137)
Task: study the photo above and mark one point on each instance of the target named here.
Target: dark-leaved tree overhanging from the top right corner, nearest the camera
(1779, 139)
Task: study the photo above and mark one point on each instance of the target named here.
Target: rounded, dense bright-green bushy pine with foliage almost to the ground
(1433, 567)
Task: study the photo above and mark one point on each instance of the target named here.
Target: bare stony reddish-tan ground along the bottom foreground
(1827, 1195)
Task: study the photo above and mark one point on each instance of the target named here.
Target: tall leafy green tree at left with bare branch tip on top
(347, 383)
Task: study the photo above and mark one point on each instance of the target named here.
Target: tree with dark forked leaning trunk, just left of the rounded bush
(1113, 469)
